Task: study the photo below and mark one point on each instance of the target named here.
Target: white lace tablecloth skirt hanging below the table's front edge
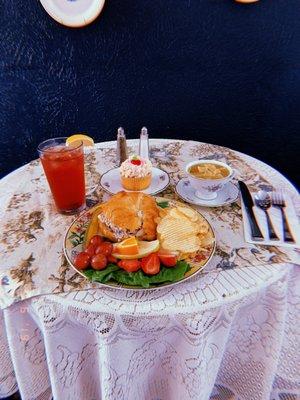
(68, 348)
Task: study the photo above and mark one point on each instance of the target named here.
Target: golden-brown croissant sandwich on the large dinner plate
(128, 214)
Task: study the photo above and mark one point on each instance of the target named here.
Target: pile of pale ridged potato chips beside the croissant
(183, 230)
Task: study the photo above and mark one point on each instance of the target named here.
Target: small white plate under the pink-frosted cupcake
(111, 183)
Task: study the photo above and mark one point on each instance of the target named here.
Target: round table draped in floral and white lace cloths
(230, 332)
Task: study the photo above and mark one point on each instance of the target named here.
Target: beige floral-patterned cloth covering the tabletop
(32, 231)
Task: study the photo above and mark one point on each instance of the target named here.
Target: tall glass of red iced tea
(64, 168)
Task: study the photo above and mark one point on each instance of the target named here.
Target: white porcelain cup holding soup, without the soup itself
(207, 188)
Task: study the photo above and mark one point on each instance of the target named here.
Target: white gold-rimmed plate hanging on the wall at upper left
(73, 13)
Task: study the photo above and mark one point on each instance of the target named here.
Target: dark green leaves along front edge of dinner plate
(113, 273)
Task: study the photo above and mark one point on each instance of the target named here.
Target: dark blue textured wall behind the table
(212, 70)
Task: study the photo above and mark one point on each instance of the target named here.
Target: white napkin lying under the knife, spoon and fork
(275, 216)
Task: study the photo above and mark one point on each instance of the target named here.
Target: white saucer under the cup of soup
(229, 194)
